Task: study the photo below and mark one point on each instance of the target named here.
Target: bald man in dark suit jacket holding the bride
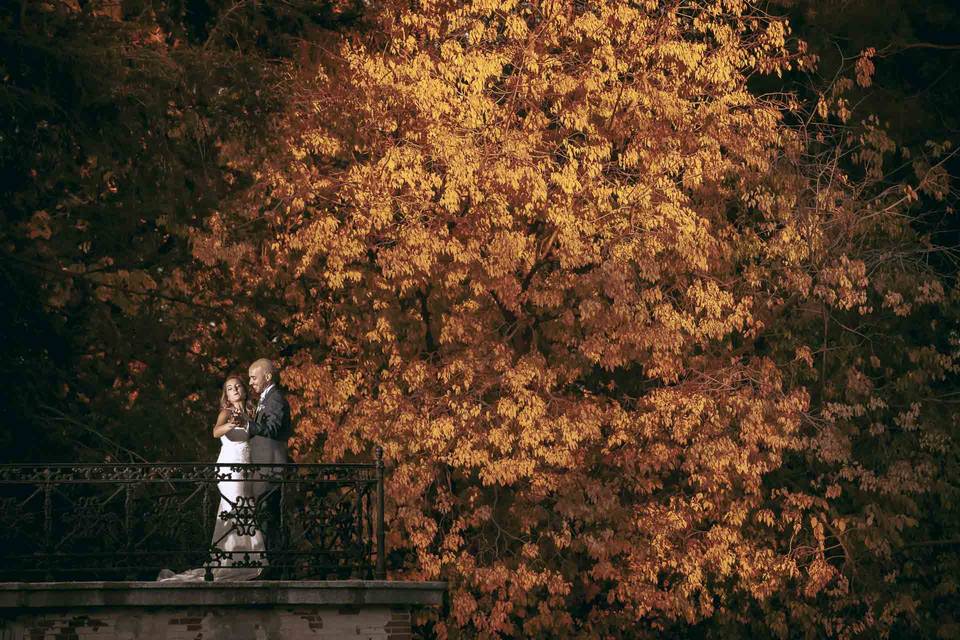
(269, 430)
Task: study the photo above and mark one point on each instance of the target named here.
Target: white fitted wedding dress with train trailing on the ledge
(245, 546)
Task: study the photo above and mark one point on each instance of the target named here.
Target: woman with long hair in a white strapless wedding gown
(238, 537)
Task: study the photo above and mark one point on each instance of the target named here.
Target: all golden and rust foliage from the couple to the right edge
(649, 351)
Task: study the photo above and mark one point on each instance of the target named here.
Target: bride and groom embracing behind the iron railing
(253, 427)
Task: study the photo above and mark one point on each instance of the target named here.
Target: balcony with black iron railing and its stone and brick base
(80, 546)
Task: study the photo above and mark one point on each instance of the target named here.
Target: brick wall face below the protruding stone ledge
(290, 622)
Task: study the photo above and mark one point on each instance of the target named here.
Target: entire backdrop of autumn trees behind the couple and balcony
(657, 327)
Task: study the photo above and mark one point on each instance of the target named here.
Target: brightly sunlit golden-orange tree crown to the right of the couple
(571, 274)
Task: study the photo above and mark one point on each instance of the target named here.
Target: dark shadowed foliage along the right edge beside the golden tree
(884, 69)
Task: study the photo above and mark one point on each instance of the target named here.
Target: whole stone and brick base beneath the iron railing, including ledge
(254, 611)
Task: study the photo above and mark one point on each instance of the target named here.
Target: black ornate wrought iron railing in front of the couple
(131, 521)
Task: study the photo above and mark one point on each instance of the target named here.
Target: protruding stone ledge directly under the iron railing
(48, 595)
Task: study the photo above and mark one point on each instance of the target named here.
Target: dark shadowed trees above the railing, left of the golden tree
(124, 124)
